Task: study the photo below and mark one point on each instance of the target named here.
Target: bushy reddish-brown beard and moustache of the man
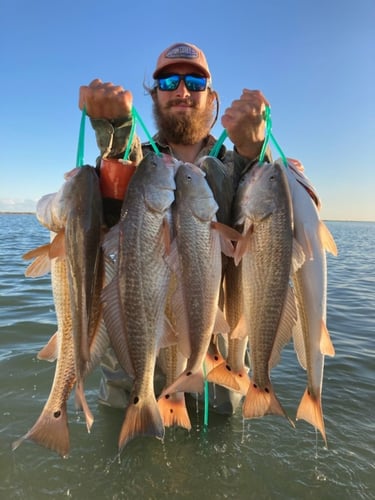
(181, 128)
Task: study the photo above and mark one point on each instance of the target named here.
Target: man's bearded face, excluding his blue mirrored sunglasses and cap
(183, 116)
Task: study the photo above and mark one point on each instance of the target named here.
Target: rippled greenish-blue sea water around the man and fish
(231, 458)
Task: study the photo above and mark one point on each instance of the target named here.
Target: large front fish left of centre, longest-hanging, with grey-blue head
(135, 299)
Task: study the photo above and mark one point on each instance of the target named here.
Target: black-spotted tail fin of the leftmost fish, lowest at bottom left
(51, 431)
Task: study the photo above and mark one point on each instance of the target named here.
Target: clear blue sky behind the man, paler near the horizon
(313, 59)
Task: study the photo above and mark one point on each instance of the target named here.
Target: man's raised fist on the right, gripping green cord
(245, 124)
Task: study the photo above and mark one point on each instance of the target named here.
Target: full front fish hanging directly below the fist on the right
(263, 206)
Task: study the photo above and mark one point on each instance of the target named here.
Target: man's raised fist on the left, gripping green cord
(105, 100)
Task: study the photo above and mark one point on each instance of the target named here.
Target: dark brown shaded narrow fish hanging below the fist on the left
(83, 233)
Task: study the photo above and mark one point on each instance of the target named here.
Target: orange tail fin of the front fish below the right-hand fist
(262, 401)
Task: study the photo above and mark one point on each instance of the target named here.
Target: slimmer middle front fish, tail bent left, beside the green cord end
(199, 255)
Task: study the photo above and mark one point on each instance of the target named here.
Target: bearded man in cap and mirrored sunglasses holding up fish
(185, 108)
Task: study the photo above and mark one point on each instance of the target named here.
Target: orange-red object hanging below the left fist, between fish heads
(115, 176)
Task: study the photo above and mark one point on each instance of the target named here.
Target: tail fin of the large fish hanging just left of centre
(142, 418)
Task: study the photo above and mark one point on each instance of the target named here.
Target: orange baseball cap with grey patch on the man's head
(182, 53)
